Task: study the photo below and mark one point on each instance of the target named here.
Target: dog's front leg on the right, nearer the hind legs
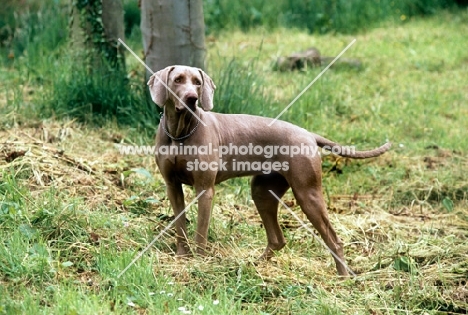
(204, 215)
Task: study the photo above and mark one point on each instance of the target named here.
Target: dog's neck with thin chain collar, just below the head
(179, 124)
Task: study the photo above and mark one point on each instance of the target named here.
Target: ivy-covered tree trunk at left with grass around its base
(99, 82)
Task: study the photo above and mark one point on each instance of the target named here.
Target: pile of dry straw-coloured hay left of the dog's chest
(68, 158)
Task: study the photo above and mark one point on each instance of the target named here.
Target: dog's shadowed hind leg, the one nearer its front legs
(267, 206)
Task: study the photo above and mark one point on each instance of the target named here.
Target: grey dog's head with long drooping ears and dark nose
(182, 85)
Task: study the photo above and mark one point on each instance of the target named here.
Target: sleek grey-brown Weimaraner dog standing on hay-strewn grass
(179, 89)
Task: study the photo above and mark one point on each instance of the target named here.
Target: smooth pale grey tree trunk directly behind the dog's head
(173, 33)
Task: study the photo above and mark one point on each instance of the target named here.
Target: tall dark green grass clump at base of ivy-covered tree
(96, 98)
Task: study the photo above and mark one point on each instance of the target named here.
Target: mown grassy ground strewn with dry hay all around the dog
(74, 213)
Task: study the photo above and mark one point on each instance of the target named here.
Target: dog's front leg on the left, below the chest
(176, 197)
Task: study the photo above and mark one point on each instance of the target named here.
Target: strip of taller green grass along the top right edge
(342, 16)
